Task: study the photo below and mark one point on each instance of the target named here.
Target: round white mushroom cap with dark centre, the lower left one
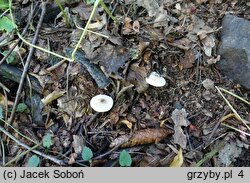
(101, 103)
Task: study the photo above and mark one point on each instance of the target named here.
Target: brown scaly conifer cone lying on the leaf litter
(146, 136)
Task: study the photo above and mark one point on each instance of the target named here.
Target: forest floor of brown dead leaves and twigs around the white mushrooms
(168, 40)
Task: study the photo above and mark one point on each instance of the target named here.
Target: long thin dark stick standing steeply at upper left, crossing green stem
(27, 64)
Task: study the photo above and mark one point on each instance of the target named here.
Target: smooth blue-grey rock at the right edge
(235, 50)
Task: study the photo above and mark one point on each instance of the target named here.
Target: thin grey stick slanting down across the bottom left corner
(51, 158)
